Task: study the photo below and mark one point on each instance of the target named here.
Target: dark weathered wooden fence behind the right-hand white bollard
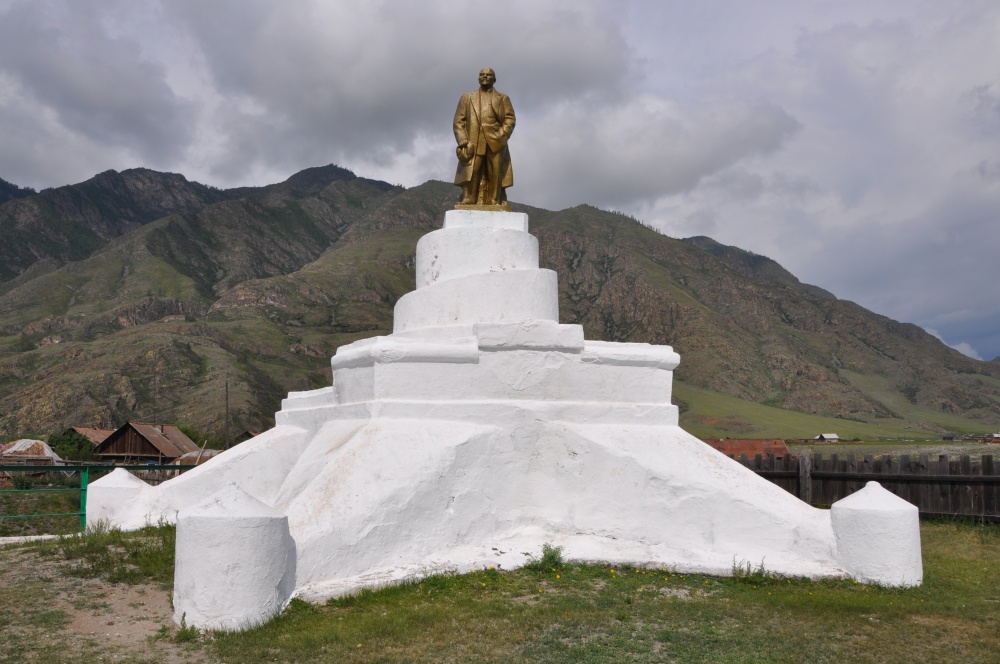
(939, 487)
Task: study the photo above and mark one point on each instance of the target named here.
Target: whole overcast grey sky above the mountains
(855, 142)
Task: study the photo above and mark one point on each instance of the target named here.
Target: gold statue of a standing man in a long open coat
(484, 122)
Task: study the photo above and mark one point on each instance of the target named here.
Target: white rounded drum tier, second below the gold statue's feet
(450, 253)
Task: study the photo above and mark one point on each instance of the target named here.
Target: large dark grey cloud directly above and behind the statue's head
(363, 81)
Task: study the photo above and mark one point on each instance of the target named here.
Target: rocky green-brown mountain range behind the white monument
(183, 288)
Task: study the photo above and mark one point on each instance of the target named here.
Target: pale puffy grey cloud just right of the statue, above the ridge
(627, 153)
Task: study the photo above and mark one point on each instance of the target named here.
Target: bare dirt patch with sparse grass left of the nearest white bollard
(50, 615)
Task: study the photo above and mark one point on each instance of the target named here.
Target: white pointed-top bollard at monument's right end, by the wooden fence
(878, 537)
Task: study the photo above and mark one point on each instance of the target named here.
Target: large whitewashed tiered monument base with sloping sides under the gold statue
(473, 435)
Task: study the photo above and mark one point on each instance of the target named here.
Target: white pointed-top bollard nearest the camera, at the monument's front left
(235, 562)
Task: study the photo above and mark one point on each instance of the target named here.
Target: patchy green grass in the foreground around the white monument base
(566, 612)
